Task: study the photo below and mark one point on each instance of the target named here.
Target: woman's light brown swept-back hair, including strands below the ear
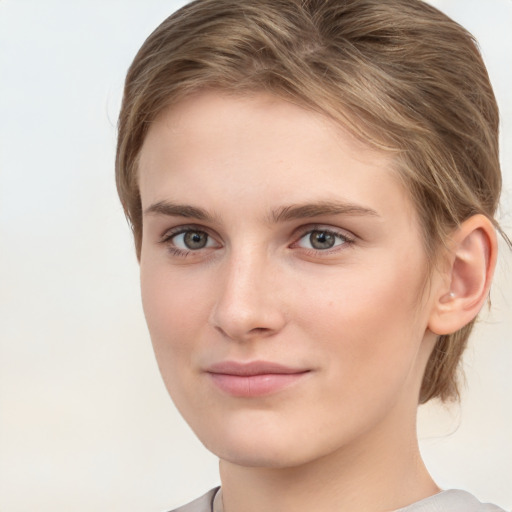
(398, 74)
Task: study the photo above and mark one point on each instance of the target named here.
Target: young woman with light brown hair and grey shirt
(312, 188)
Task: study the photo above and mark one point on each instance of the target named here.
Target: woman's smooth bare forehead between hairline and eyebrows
(262, 151)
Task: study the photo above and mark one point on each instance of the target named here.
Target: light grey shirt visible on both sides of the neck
(445, 501)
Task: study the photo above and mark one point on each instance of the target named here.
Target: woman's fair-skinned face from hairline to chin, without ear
(283, 276)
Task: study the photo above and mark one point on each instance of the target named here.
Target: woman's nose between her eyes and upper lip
(248, 305)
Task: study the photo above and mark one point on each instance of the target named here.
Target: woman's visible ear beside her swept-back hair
(465, 278)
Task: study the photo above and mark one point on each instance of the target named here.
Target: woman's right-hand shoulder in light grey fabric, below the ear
(451, 501)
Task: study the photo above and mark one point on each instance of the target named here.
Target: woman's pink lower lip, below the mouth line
(255, 385)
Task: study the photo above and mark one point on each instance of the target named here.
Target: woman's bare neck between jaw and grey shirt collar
(379, 472)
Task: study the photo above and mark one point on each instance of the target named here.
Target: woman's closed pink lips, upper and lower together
(253, 379)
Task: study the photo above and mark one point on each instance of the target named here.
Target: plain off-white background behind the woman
(85, 422)
